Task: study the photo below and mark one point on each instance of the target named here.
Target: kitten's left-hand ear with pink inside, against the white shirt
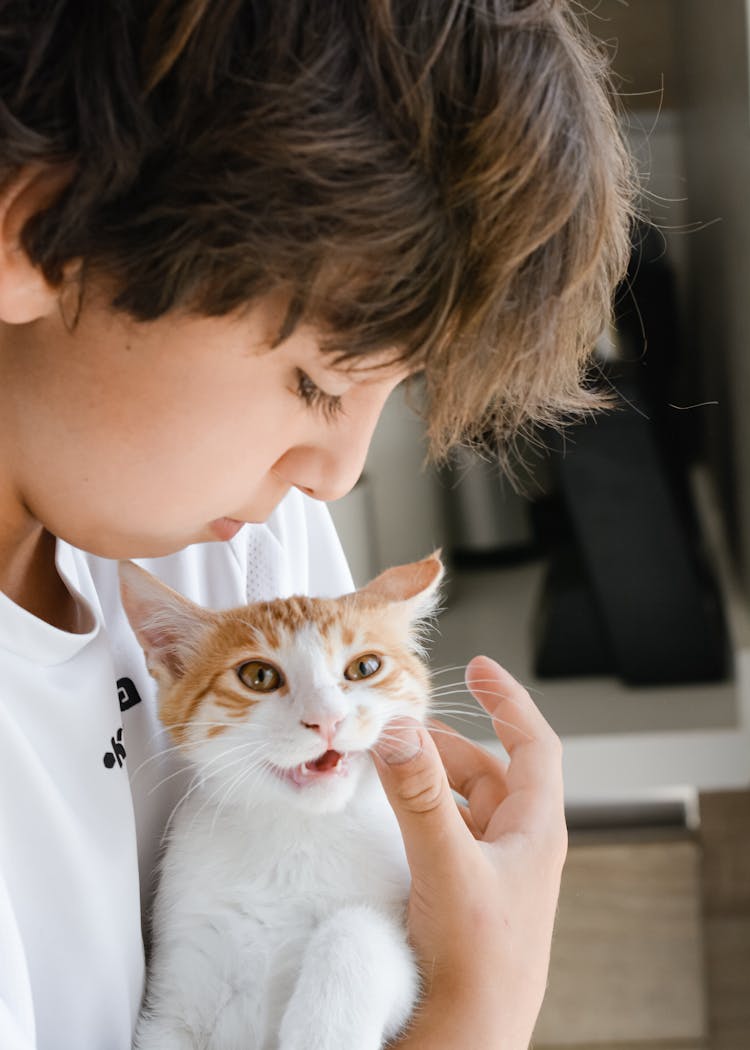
(169, 626)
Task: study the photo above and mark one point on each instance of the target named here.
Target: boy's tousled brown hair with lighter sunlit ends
(446, 178)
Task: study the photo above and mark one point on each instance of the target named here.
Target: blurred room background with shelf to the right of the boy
(616, 585)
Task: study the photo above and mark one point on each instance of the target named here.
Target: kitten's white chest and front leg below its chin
(281, 930)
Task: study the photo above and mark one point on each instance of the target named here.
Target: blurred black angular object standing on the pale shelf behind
(643, 598)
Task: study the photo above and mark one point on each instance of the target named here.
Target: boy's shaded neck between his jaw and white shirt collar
(30, 578)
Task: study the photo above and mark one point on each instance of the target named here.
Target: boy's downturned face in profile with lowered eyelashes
(133, 439)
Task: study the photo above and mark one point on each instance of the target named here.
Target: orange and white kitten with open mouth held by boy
(280, 917)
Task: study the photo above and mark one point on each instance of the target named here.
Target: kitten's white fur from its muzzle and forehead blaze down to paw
(280, 918)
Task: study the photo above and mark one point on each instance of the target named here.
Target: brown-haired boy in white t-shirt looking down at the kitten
(227, 230)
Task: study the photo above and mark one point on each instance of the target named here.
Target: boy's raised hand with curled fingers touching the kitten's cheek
(486, 878)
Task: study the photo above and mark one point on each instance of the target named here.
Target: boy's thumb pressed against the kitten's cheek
(418, 788)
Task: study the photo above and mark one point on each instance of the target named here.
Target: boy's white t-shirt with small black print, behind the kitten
(88, 784)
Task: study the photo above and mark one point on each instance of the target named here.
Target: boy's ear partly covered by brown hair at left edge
(25, 292)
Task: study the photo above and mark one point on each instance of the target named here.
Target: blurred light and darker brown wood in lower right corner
(653, 942)
